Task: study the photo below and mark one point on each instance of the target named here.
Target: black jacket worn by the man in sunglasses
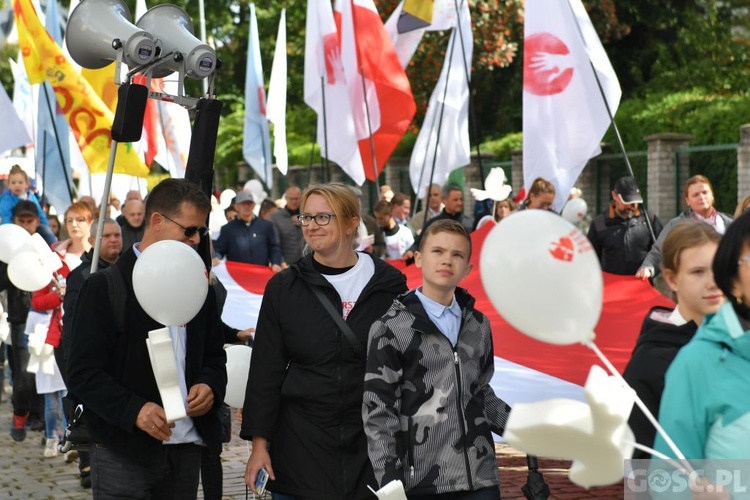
(111, 373)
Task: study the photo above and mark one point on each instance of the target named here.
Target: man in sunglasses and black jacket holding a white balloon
(137, 453)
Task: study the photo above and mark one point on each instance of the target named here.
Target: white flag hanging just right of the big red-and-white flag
(447, 113)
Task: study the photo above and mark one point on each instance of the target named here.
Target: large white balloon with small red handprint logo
(543, 277)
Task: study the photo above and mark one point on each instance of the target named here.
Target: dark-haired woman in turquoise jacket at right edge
(705, 408)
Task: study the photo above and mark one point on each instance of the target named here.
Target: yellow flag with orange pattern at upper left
(88, 117)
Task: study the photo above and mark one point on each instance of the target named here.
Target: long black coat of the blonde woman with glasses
(304, 392)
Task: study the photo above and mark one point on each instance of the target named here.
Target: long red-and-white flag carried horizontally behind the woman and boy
(526, 370)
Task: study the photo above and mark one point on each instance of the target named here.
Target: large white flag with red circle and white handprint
(564, 113)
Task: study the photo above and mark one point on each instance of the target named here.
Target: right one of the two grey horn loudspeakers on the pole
(173, 29)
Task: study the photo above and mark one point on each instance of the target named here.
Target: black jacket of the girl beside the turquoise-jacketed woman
(654, 351)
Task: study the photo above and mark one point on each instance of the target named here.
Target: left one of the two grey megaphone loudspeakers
(93, 27)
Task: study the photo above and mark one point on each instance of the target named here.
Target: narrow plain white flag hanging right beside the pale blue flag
(276, 109)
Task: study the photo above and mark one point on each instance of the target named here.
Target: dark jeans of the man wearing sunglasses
(116, 476)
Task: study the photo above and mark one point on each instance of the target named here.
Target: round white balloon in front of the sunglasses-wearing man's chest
(170, 282)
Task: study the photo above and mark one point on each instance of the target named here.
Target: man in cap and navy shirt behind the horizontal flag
(248, 238)
